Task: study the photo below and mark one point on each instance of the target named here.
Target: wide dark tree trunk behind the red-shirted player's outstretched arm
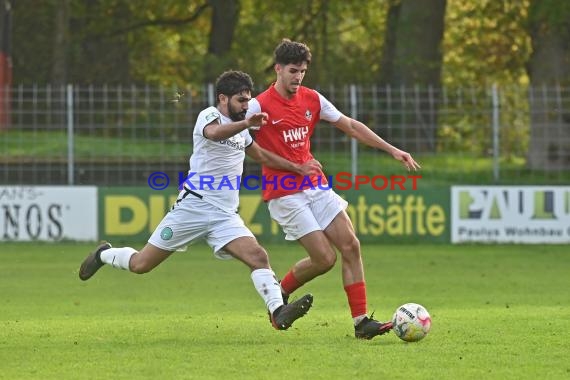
(412, 57)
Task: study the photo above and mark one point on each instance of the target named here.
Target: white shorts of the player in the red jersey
(307, 211)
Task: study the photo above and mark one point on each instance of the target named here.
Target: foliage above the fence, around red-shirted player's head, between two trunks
(336, 31)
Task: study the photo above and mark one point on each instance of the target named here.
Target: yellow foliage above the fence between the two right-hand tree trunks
(486, 42)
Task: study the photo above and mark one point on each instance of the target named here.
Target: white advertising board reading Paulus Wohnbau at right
(510, 214)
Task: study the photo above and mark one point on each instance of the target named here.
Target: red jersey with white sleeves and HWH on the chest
(287, 133)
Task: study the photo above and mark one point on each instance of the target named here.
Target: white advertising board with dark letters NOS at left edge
(48, 213)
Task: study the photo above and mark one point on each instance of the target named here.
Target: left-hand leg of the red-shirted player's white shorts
(294, 215)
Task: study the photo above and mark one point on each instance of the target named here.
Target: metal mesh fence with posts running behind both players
(117, 135)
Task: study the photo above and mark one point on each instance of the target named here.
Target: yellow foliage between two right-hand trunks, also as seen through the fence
(485, 43)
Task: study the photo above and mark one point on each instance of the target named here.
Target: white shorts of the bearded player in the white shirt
(193, 219)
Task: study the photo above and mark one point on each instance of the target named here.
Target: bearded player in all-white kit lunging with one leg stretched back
(207, 206)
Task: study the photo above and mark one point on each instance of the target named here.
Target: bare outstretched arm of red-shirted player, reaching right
(365, 135)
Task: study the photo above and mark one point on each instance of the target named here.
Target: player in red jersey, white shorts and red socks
(306, 209)
